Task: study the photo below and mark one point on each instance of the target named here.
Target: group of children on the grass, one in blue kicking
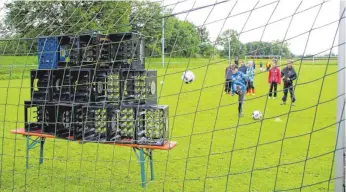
(241, 80)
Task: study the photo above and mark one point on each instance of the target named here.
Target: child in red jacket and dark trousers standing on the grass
(274, 78)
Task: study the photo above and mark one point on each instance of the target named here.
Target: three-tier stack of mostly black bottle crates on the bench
(94, 87)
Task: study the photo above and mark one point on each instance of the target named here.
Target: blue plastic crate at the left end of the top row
(48, 54)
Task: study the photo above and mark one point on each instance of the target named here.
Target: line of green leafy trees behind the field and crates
(30, 19)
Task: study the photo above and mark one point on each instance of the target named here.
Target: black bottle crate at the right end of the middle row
(140, 86)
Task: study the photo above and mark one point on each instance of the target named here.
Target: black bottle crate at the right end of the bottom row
(152, 126)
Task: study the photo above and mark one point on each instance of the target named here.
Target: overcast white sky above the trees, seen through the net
(214, 18)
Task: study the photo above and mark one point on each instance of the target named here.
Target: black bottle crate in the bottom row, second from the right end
(123, 125)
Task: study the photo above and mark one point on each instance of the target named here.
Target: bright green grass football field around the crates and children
(215, 150)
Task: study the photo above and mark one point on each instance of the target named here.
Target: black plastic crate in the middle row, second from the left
(61, 85)
